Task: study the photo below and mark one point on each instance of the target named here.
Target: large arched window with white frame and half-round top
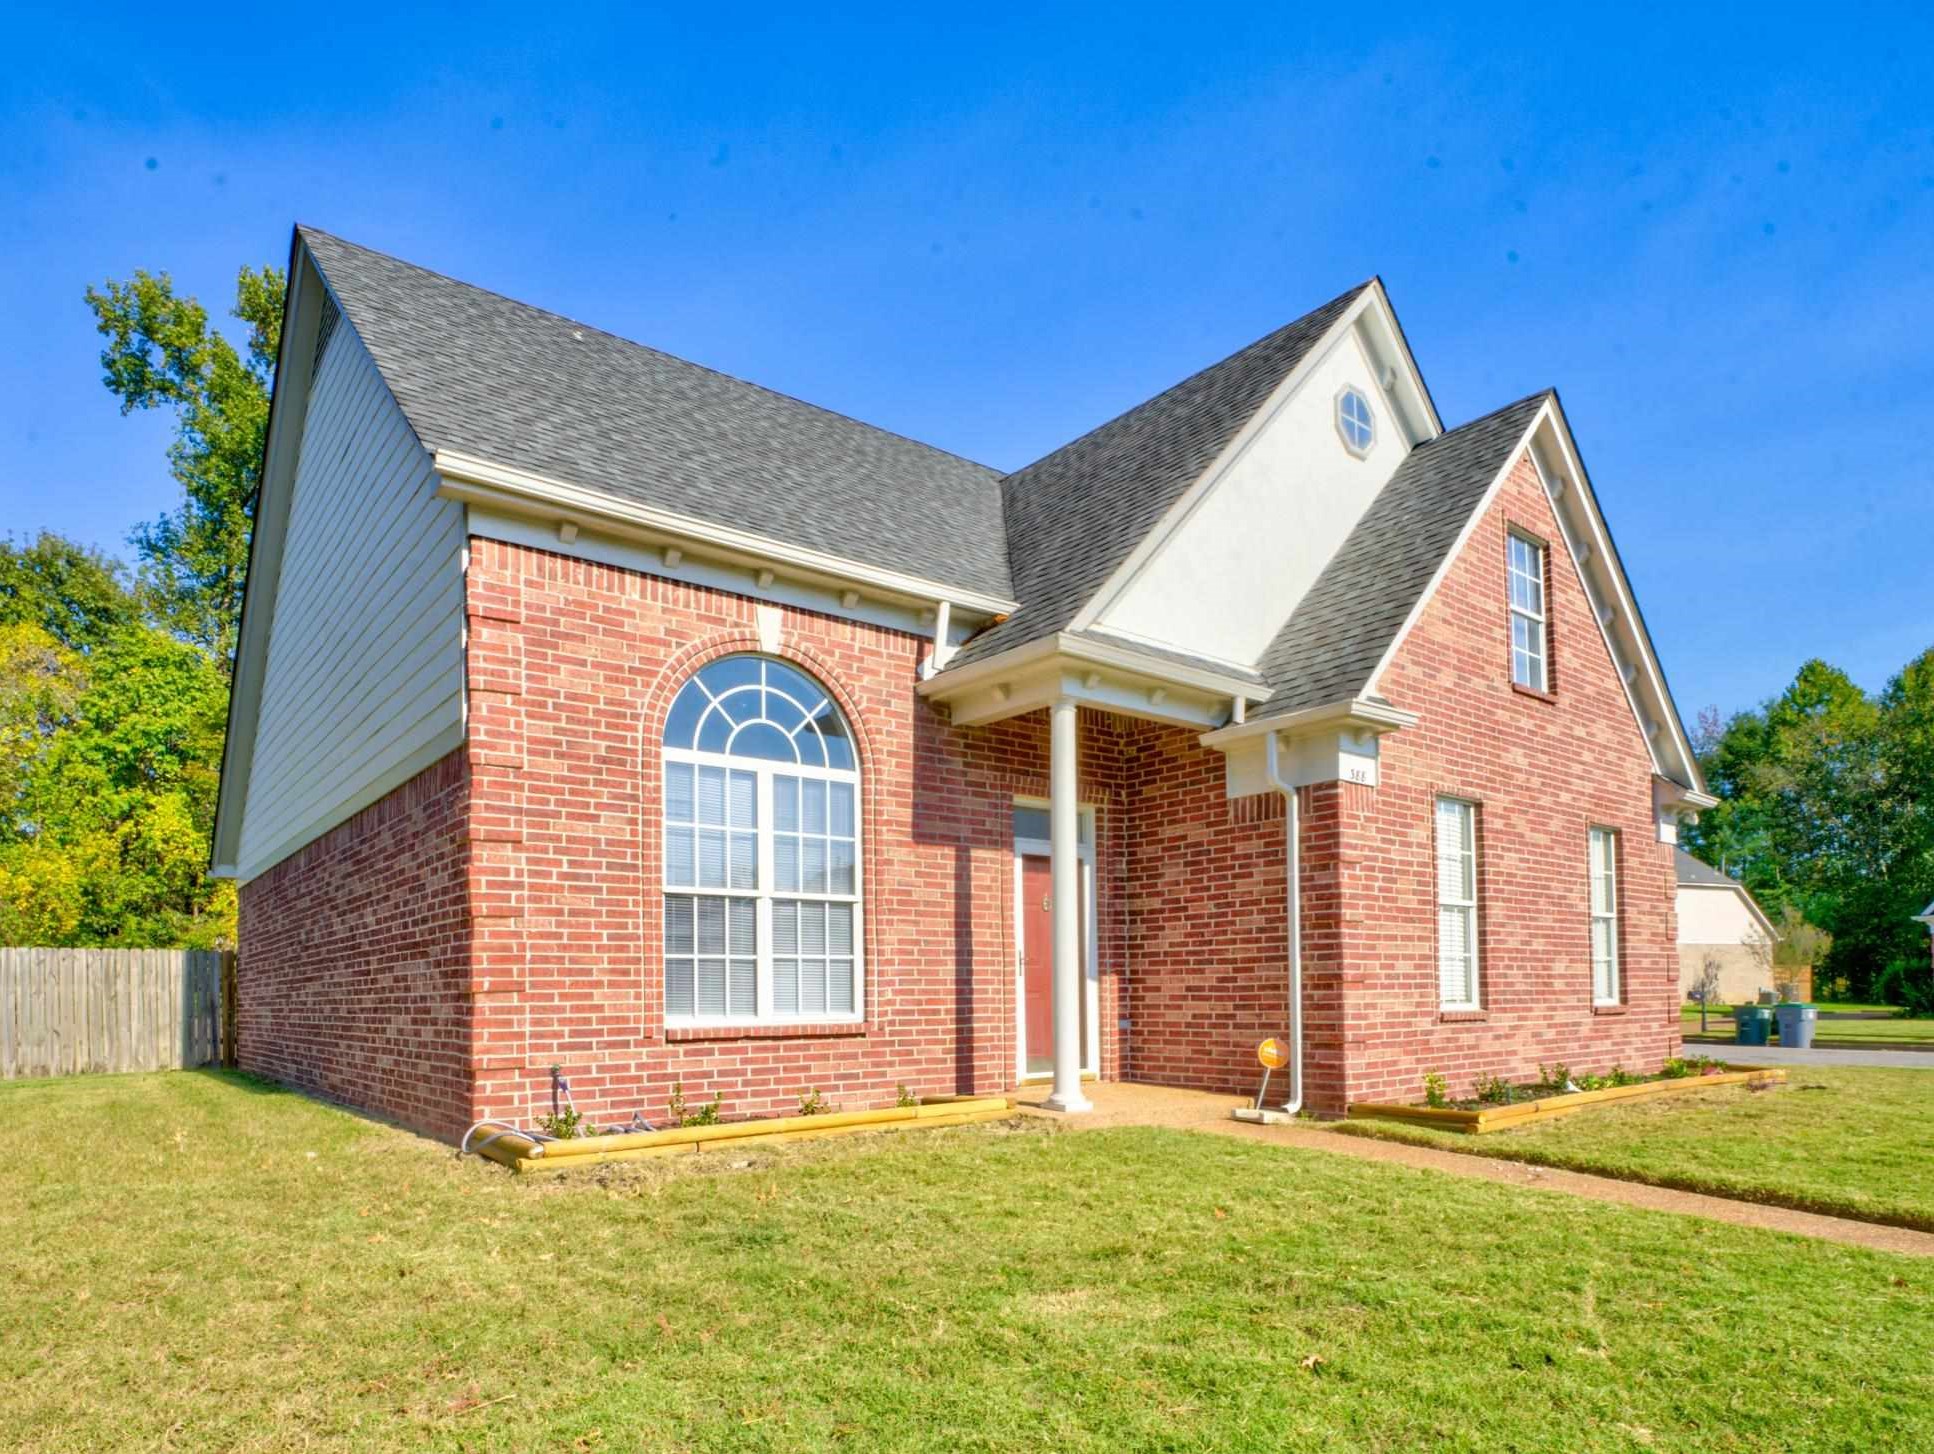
(761, 850)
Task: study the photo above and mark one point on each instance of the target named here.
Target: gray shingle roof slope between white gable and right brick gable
(1341, 629)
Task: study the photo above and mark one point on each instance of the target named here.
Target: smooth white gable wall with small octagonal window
(1237, 567)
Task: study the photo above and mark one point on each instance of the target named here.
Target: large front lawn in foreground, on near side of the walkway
(196, 1262)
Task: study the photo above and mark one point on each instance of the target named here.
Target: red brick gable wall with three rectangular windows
(1544, 771)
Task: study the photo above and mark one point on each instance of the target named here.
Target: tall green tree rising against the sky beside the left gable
(161, 353)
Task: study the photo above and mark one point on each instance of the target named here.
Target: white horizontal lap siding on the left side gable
(365, 670)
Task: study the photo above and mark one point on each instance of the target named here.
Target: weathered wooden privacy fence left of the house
(76, 1012)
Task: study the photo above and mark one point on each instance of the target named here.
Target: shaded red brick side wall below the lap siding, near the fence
(357, 956)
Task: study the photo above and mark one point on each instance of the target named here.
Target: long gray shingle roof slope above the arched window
(512, 384)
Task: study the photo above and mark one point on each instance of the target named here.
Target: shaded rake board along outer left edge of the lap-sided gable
(289, 407)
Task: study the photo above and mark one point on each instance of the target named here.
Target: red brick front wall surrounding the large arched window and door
(573, 668)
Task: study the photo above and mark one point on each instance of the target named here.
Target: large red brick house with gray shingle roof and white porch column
(601, 711)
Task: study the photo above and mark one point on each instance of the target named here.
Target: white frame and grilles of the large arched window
(765, 771)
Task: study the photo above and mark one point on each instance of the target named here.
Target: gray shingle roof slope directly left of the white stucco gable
(1074, 515)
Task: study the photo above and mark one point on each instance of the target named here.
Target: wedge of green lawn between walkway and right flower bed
(1832, 1140)
